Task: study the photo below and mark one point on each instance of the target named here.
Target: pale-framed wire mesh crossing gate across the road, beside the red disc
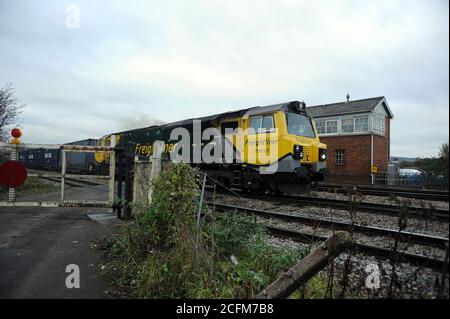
(59, 174)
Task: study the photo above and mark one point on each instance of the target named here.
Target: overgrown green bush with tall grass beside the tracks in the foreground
(156, 257)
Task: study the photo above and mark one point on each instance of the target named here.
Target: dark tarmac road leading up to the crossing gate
(36, 245)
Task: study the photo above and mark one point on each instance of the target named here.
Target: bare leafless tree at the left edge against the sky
(10, 108)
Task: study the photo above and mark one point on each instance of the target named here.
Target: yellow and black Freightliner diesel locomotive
(272, 148)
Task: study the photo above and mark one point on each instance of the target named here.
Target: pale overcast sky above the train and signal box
(131, 63)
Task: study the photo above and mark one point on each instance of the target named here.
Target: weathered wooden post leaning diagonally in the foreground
(299, 274)
